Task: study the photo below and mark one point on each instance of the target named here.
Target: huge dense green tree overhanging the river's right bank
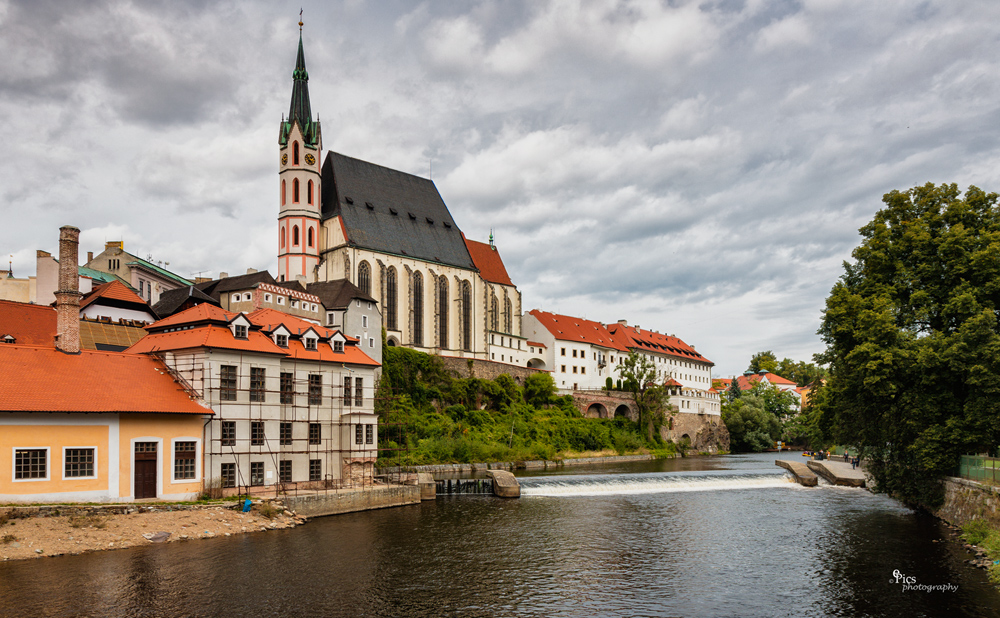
(913, 339)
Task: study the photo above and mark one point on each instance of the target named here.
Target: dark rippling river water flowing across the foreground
(720, 536)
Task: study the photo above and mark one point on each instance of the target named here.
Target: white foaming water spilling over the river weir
(612, 485)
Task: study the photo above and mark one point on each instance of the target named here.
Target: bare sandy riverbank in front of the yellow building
(36, 532)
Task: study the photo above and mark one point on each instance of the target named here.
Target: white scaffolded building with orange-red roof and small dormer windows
(293, 400)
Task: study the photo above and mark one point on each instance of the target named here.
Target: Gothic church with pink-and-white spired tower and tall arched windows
(391, 234)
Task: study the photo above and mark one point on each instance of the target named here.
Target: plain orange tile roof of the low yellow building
(42, 379)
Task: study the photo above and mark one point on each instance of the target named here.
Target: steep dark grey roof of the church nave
(390, 211)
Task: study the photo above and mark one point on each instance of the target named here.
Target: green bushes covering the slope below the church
(428, 416)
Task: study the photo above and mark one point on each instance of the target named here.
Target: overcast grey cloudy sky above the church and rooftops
(697, 168)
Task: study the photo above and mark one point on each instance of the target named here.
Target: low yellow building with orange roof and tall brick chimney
(86, 426)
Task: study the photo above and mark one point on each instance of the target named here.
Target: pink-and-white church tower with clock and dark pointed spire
(300, 146)
